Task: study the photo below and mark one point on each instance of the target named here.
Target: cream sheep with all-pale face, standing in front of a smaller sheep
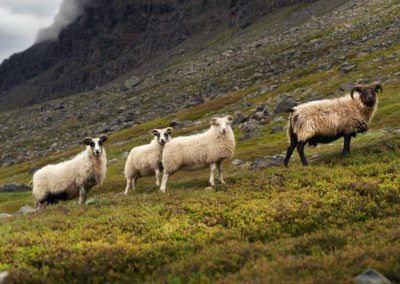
(199, 151)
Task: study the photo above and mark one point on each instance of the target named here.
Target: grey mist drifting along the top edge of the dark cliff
(68, 12)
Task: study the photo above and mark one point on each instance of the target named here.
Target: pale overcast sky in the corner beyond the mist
(20, 21)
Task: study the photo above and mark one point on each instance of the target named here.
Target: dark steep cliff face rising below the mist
(113, 38)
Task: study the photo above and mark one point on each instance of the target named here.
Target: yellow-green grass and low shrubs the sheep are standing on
(327, 222)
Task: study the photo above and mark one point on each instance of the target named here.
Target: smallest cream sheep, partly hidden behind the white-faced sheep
(145, 160)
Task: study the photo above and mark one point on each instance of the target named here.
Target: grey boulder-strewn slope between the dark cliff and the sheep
(277, 60)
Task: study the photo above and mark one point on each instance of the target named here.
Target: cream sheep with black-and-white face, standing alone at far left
(71, 178)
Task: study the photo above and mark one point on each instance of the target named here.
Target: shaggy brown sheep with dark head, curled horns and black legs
(325, 121)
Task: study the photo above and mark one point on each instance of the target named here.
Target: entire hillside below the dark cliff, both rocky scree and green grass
(325, 223)
